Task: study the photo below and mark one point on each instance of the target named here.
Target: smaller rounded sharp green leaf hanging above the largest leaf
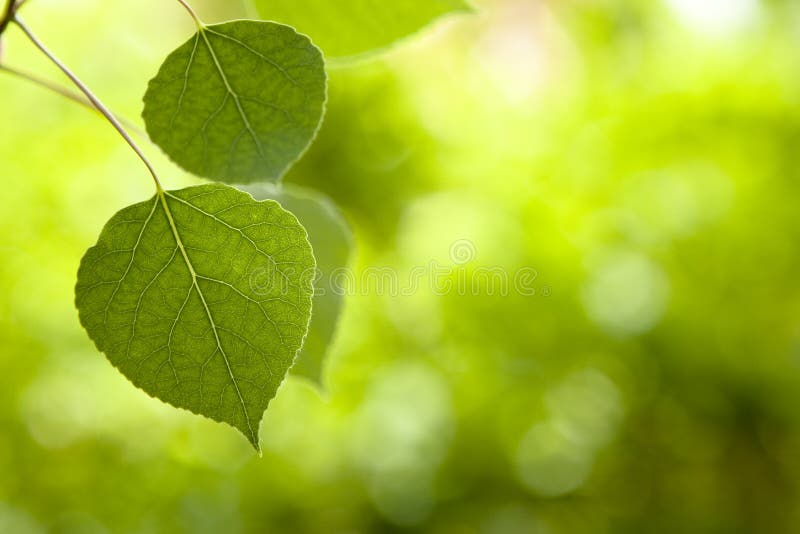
(239, 102)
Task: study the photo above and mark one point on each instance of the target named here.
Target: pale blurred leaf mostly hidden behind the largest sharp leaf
(332, 241)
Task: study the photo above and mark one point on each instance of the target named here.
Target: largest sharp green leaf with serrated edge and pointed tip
(175, 294)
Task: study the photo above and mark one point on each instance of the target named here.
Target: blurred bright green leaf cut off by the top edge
(346, 28)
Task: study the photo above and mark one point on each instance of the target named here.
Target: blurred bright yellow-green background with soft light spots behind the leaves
(641, 156)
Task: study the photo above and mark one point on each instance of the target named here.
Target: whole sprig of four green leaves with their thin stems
(202, 297)
